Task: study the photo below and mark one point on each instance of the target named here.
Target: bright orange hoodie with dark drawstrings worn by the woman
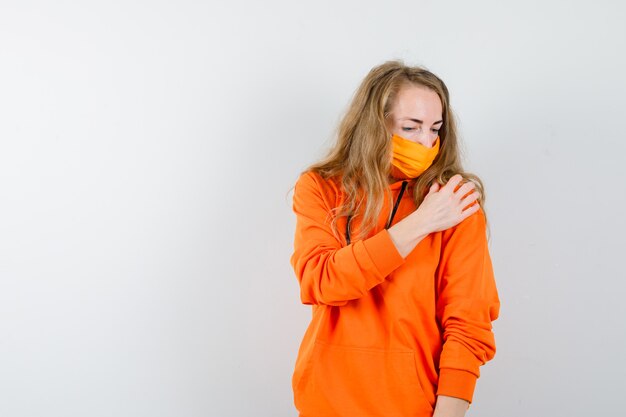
(388, 333)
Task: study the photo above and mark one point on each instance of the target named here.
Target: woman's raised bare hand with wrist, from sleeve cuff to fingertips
(441, 209)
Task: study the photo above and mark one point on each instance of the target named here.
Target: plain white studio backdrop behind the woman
(146, 158)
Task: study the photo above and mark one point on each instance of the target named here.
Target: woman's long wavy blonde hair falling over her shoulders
(360, 159)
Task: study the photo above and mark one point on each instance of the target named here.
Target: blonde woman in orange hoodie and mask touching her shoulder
(391, 252)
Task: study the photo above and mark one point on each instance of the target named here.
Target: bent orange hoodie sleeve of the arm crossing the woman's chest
(328, 272)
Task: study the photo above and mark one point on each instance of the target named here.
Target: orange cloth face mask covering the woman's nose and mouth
(412, 158)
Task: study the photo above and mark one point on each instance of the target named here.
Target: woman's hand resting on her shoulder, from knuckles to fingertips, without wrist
(443, 207)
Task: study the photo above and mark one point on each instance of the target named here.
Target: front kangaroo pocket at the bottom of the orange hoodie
(352, 381)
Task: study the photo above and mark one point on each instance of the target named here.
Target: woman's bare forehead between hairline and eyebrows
(417, 102)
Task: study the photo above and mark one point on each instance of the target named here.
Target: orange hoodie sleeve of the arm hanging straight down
(467, 303)
